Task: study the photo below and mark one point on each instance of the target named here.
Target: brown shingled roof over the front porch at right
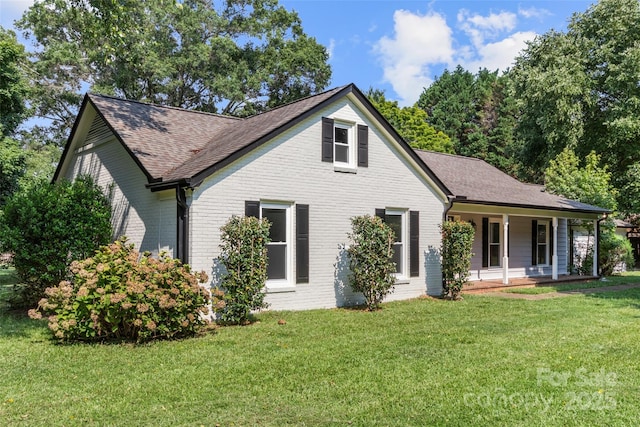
(476, 181)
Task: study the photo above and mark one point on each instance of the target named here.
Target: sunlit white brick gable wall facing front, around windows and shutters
(289, 169)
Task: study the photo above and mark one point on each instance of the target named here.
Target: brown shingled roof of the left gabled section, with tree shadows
(177, 145)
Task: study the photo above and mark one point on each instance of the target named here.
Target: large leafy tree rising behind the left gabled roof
(234, 57)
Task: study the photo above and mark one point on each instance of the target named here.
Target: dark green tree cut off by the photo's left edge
(13, 93)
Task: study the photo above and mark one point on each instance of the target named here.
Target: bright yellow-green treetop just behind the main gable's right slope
(411, 123)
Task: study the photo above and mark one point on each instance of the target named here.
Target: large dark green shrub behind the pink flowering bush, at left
(48, 227)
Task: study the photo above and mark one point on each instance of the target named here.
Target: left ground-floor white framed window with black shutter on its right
(279, 249)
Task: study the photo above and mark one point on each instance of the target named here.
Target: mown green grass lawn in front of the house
(482, 361)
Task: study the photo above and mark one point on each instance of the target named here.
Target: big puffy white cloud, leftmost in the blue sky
(419, 41)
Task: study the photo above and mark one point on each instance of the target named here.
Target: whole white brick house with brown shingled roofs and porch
(176, 176)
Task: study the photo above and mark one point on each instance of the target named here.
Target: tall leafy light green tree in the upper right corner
(580, 89)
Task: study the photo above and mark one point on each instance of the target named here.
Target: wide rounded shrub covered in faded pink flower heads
(120, 294)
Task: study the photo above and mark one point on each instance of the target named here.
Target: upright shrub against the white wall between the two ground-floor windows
(370, 259)
